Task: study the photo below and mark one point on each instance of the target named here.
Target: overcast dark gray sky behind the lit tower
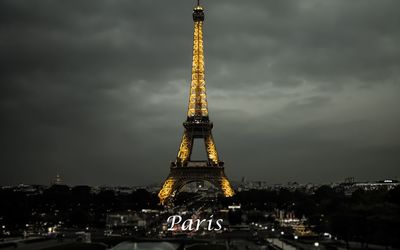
(97, 90)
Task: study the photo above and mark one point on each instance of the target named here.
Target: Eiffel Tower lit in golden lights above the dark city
(197, 125)
